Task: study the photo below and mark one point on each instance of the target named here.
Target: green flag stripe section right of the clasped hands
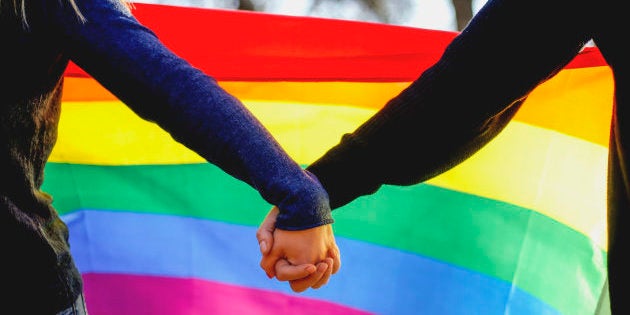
(534, 252)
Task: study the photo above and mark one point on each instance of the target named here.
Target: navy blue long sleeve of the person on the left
(130, 61)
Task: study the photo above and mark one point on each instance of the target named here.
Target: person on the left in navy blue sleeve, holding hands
(40, 38)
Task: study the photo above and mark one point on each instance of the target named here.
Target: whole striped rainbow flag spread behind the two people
(519, 228)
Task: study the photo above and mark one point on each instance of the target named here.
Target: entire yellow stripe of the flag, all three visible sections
(558, 175)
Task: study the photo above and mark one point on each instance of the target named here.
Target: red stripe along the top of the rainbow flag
(253, 46)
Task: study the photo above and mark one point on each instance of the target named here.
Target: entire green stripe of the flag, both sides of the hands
(536, 253)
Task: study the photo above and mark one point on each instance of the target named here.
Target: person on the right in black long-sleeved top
(467, 97)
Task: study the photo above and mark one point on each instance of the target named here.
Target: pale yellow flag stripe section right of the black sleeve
(557, 175)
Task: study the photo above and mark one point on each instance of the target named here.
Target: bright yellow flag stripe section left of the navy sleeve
(110, 133)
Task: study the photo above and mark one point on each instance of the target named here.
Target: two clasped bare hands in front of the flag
(305, 258)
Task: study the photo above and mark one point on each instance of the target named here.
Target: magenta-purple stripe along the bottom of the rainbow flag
(139, 295)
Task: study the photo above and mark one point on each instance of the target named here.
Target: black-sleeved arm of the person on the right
(460, 103)
